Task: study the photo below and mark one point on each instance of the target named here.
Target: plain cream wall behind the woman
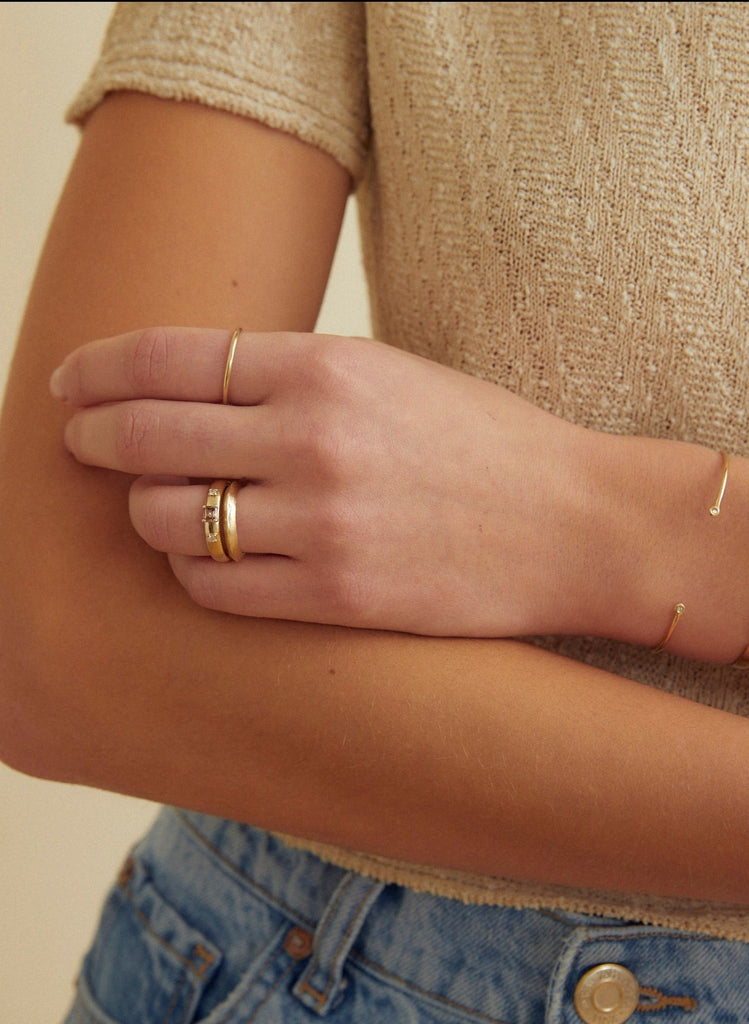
(60, 845)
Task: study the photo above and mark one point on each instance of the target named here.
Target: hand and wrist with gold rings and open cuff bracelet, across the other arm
(385, 491)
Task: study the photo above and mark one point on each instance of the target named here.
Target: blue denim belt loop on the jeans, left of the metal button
(339, 929)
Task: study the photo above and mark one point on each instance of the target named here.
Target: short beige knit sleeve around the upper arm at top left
(301, 68)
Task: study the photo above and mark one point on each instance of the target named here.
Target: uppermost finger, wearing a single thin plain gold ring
(178, 364)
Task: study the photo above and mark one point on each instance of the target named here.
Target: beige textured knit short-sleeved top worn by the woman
(553, 197)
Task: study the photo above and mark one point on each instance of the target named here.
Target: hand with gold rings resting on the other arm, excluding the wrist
(381, 490)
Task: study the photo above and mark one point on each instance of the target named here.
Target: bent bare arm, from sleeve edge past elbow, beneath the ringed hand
(488, 756)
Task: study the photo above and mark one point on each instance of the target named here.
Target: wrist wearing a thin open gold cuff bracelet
(654, 567)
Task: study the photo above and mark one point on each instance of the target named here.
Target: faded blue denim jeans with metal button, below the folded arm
(218, 923)
